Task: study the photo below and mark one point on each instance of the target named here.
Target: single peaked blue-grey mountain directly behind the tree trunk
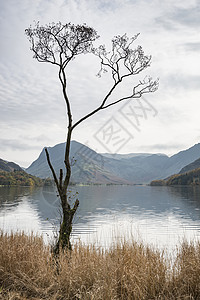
(87, 165)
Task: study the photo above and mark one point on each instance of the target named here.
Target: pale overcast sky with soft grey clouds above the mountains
(32, 110)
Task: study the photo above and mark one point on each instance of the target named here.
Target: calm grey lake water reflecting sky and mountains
(156, 215)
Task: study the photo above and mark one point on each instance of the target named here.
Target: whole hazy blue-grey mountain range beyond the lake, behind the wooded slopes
(89, 166)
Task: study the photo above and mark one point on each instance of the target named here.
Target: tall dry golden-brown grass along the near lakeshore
(126, 271)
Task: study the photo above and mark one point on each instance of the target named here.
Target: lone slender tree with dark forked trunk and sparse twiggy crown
(59, 44)
